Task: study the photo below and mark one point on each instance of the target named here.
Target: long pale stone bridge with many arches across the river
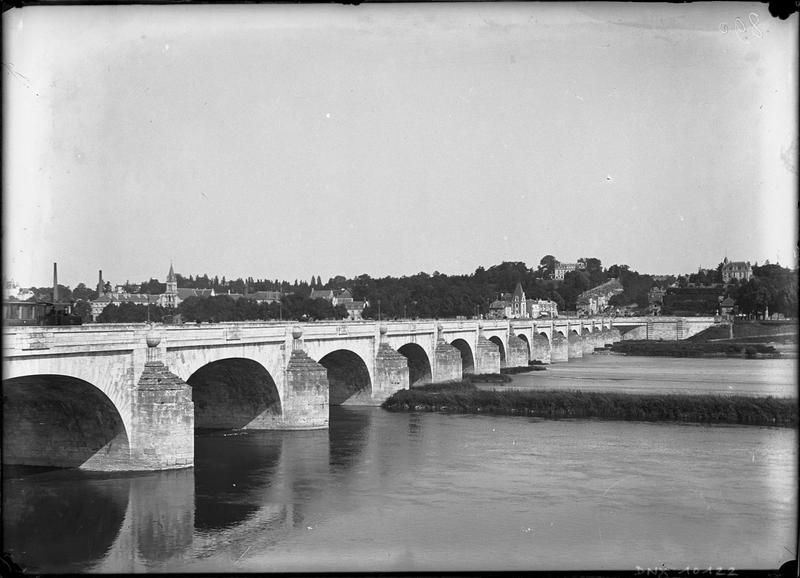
(129, 397)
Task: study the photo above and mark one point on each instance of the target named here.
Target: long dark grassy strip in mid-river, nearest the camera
(464, 397)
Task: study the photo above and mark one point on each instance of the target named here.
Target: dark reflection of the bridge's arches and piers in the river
(246, 493)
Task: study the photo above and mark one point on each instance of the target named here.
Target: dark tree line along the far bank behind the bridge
(434, 295)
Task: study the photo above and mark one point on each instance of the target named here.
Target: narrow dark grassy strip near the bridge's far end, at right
(694, 349)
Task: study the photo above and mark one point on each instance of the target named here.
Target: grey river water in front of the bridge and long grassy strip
(413, 492)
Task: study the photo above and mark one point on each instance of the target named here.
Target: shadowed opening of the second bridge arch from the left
(235, 393)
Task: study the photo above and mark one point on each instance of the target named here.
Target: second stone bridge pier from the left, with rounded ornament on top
(305, 404)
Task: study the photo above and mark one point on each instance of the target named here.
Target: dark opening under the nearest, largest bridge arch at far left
(62, 421)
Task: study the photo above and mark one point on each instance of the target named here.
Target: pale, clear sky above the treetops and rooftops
(285, 141)
